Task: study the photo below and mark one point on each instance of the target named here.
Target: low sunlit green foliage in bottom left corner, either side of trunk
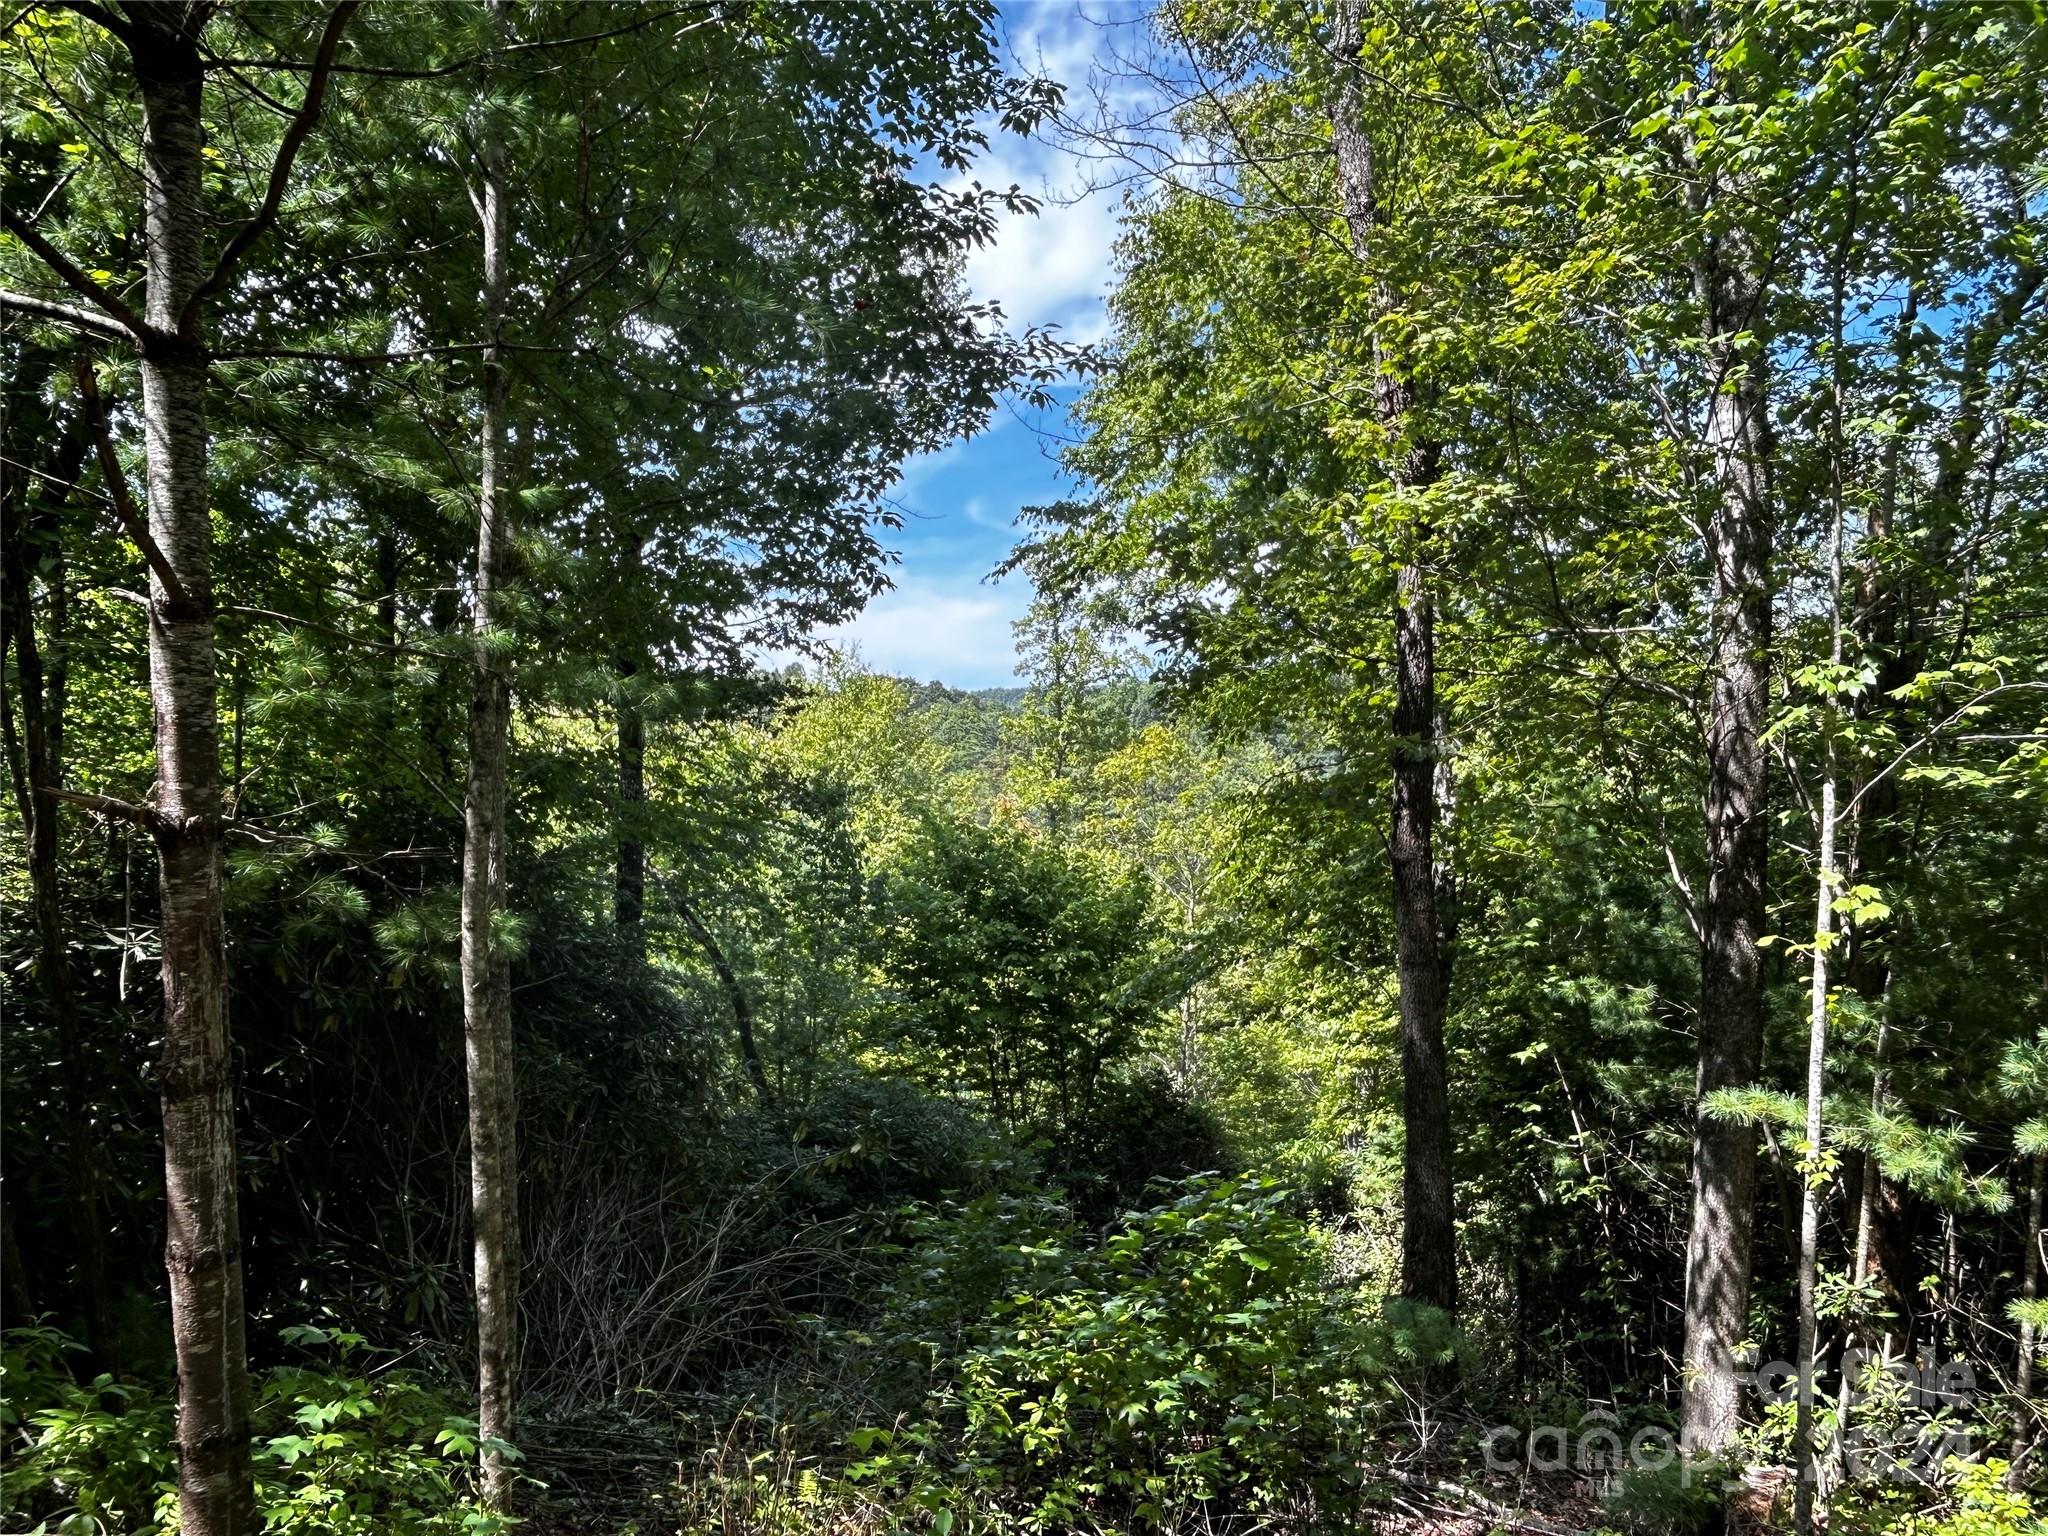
(339, 1453)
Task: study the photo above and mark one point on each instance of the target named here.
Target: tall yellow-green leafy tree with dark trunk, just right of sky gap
(1306, 515)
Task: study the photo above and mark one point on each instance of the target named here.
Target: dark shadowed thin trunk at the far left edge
(30, 513)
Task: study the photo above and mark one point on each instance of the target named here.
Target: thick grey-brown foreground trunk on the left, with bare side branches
(204, 1250)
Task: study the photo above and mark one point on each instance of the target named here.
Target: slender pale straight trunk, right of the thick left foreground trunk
(486, 966)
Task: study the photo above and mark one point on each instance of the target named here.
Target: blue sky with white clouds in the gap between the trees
(959, 507)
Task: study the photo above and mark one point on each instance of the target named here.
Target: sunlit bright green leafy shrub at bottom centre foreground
(1203, 1357)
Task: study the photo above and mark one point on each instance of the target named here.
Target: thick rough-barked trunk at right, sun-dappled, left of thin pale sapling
(1732, 984)
